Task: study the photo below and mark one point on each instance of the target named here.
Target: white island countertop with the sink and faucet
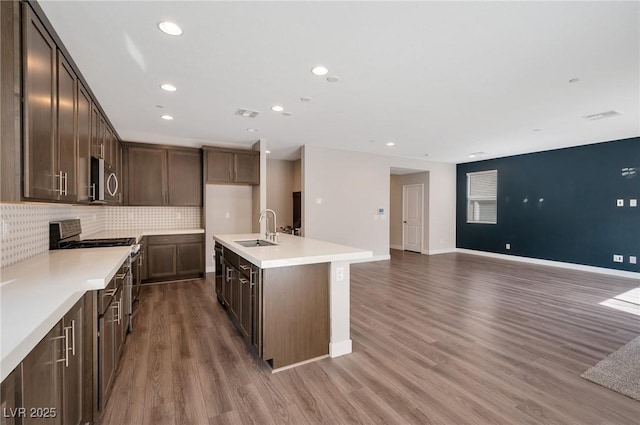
(291, 251)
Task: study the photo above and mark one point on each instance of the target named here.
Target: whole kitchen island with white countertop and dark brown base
(290, 300)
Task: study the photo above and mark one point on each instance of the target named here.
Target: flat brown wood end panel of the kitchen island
(295, 313)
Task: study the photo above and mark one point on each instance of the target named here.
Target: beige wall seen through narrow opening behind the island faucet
(280, 190)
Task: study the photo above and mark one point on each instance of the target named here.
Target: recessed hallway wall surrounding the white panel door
(395, 209)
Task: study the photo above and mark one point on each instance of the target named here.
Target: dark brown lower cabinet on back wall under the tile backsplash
(173, 257)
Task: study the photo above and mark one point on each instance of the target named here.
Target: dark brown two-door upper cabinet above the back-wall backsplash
(163, 176)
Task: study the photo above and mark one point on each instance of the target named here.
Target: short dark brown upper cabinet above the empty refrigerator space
(231, 166)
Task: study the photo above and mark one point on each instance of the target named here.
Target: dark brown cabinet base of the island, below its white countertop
(282, 313)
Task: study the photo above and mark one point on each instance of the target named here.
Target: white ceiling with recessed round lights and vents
(440, 78)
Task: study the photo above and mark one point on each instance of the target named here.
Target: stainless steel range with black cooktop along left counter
(65, 234)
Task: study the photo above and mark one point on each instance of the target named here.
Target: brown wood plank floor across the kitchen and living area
(446, 339)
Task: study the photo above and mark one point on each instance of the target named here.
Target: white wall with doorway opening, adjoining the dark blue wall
(353, 185)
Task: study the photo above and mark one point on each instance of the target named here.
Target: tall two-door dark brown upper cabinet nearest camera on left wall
(50, 147)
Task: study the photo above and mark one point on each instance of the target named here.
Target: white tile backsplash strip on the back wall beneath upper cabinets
(122, 218)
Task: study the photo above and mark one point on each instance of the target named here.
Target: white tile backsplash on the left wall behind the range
(24, 228)
